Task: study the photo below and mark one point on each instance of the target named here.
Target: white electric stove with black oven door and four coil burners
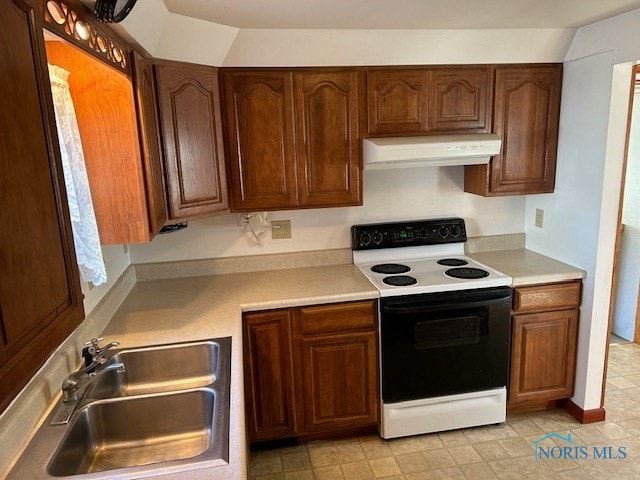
(444, 326)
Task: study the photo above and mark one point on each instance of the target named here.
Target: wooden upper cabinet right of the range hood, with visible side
(526, 116)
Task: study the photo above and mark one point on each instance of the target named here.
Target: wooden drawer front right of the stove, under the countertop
(546, 297)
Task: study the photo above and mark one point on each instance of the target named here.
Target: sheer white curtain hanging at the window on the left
(83, 218)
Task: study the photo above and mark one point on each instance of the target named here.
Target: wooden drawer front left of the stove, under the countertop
(341, 316)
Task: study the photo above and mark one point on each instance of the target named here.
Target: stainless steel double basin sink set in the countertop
(167, 409)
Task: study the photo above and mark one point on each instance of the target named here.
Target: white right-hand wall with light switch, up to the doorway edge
(581, 216)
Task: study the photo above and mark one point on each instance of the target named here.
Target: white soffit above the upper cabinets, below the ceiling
(171, 36)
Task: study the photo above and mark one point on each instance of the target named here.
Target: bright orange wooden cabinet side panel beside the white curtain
(105, 110)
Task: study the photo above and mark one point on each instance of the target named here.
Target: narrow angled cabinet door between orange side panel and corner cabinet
(145, 90)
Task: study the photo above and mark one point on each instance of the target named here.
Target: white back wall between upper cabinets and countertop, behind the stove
(388, 195)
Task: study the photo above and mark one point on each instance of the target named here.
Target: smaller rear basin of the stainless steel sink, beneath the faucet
(162, 368)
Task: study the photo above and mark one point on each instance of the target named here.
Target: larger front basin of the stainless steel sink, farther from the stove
(136, 431)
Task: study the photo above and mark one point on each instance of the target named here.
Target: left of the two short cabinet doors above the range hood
(397, 101)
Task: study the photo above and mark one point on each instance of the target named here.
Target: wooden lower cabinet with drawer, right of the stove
(544, 338)
